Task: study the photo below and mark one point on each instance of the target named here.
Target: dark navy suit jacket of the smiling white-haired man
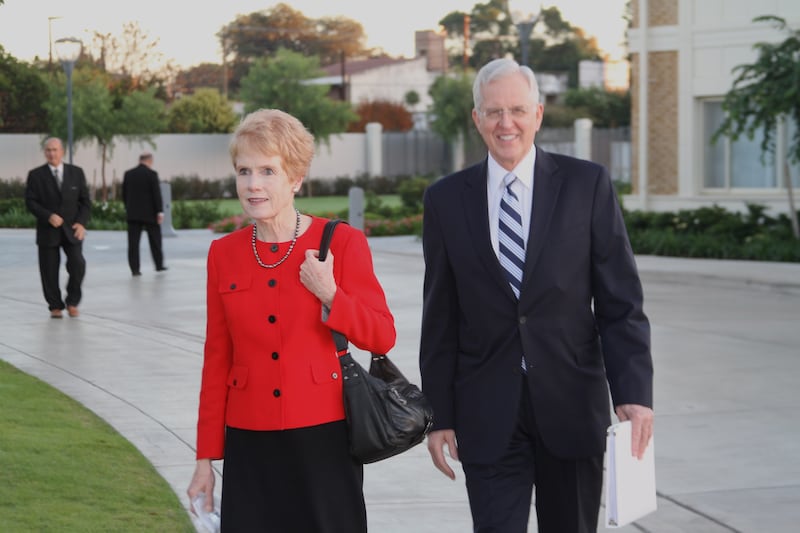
(579, 320)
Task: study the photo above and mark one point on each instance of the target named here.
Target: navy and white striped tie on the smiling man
(512, 244)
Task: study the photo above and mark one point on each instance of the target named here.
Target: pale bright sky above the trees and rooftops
(186, 32)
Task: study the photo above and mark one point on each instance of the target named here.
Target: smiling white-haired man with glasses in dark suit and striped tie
(519, 384)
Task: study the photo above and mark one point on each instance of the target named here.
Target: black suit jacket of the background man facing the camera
(72, 202)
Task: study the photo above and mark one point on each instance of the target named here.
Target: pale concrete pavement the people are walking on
(726, 344)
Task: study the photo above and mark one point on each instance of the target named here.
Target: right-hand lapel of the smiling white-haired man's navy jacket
(546, 187)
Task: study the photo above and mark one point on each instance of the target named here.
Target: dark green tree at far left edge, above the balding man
(22, 91)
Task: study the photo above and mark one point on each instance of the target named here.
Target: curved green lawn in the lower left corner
(65, 469)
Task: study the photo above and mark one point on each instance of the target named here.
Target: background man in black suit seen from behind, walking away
(141, 193)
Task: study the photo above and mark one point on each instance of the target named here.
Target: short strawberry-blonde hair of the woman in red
(275, 133)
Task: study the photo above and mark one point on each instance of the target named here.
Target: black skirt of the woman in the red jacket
(294, 481)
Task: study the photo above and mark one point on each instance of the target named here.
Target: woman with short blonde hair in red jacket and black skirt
(271, 395)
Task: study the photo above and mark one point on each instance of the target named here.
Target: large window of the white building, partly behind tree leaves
(736, 164)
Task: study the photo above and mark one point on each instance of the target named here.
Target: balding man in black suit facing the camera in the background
(57, 195)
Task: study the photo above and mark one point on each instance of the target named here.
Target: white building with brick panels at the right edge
(683, 53)
